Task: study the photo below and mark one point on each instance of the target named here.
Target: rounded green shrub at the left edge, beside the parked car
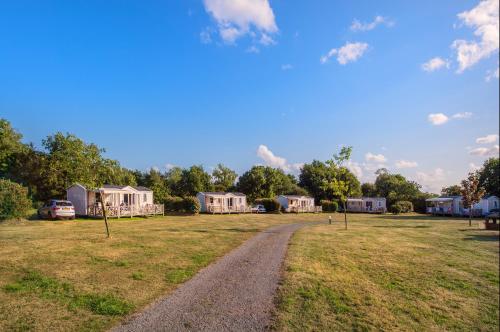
(14, 201)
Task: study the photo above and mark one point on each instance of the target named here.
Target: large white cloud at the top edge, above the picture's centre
(238, 18)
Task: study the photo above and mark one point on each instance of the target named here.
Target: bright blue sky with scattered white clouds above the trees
(411, 85)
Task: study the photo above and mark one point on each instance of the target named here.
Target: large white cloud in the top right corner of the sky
(484, 20)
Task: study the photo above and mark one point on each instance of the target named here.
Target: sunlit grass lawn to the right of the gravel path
(391, 273)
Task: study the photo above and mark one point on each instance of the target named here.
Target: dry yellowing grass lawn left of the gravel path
(65, 275)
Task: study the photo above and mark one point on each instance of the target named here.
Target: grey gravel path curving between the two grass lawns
(234, 294)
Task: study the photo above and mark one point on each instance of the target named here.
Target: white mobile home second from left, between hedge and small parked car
(222, 202)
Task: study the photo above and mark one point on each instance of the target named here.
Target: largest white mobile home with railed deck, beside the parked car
(120, 201)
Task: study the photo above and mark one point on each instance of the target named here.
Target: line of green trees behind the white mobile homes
(65, 159)
